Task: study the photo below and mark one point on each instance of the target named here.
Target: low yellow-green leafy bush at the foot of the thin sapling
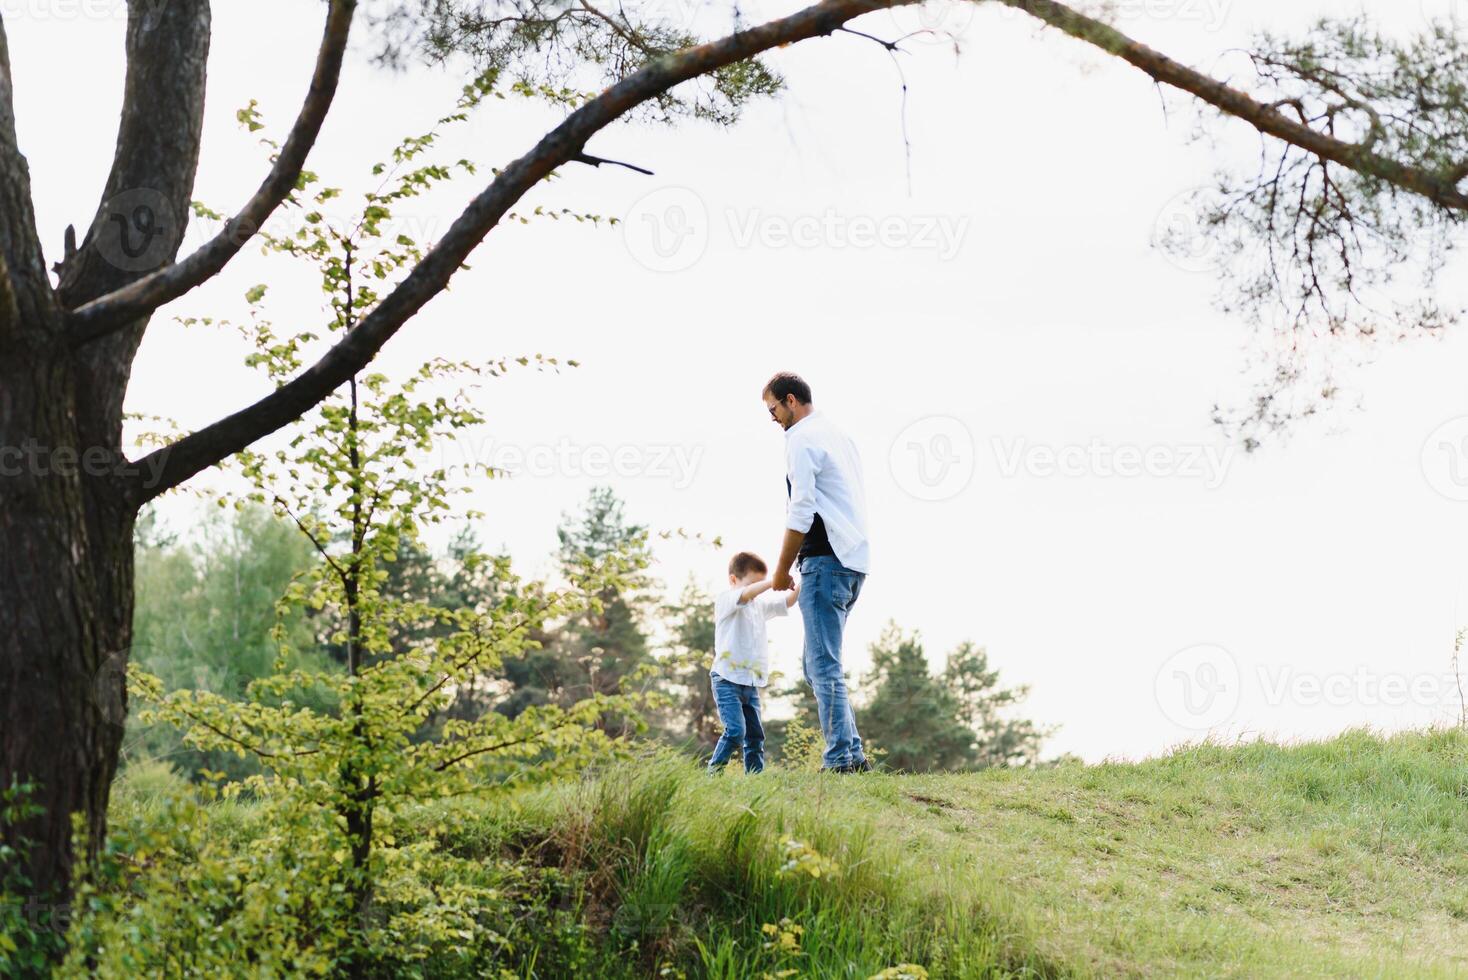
(192, 888)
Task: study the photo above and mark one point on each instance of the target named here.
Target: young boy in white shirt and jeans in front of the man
(742, 658)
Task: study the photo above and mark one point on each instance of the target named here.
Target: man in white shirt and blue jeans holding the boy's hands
(826, 532)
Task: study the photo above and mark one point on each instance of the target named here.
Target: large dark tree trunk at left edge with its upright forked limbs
(68, 497)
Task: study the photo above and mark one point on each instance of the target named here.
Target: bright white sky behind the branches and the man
(1014, 294)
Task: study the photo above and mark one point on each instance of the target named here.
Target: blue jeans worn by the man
(829, 590)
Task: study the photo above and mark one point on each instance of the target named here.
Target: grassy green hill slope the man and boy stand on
(1340, 859)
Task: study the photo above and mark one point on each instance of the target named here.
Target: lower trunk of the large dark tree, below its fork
(65, 618)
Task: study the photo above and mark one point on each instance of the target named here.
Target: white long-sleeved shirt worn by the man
(826, 479)
